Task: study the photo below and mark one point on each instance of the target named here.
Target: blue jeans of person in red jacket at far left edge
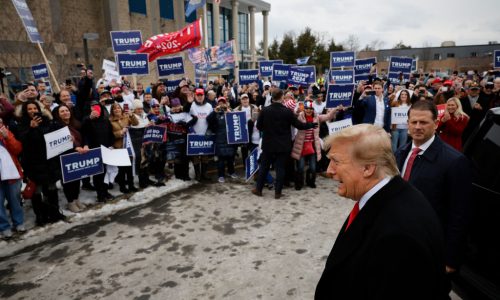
(11, 192)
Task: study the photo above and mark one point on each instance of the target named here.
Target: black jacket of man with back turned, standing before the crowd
(275, 122)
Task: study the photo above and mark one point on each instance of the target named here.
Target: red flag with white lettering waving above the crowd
(173, 42)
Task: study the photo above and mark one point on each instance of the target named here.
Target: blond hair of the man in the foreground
(368, 144)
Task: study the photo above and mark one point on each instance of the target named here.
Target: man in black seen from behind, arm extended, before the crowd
(275, 123)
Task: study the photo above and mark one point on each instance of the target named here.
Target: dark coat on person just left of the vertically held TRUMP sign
(217, 124)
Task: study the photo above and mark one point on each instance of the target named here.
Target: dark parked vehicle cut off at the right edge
(479, 278)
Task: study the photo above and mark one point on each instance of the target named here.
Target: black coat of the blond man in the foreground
(392, 250)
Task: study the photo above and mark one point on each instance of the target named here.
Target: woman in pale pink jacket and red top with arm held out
(307, 145)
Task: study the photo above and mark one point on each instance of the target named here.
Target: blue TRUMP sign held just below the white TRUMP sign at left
(75, 166)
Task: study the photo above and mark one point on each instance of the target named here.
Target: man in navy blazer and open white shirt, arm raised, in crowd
(376, 108)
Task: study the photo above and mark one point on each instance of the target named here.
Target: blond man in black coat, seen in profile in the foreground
(391, 246)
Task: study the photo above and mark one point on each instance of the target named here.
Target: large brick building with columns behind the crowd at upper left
(63, 26)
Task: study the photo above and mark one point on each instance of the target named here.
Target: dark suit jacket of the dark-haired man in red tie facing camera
(444, 176)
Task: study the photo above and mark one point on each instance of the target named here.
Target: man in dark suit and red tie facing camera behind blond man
(442, 174)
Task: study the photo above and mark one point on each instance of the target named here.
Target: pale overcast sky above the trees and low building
(414, 22)
